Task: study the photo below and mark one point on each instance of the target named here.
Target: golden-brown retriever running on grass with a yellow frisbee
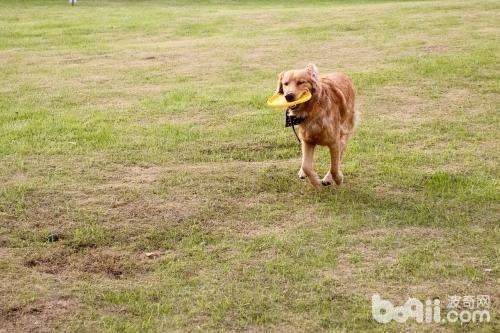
(329, 117)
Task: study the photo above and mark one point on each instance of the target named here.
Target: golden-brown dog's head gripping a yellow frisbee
(294, 83)
